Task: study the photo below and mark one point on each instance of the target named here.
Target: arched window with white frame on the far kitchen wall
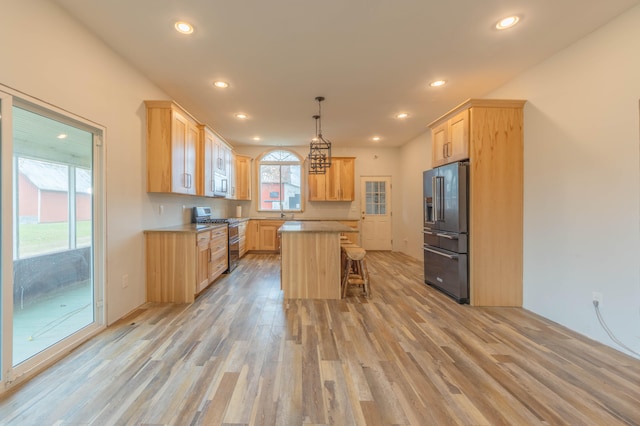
(280, 184)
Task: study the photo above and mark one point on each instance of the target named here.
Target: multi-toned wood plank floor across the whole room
(409, 355)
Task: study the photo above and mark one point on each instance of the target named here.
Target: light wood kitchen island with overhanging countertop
(310, 259)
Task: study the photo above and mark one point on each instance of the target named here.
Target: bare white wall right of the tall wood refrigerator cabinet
(582, 182)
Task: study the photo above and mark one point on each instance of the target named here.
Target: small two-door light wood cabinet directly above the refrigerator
(450, 140)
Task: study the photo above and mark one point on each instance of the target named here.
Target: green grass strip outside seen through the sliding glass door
(41, 238)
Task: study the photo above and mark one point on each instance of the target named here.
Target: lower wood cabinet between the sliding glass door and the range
(180, 264)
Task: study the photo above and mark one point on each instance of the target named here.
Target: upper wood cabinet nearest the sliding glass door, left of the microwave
(172, 139)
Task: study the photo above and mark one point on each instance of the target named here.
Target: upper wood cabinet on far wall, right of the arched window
(337, 184)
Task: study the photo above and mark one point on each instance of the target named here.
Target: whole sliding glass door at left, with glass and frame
(52, 292)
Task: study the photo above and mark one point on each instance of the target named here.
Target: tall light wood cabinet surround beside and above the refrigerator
(491, 131)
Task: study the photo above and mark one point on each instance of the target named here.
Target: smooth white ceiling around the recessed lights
(370, 59)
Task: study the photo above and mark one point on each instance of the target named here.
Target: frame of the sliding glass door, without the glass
(12, 375)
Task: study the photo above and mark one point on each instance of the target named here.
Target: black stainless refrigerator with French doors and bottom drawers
(446, 229)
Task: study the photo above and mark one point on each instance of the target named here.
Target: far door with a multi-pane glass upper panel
(376, 213)
